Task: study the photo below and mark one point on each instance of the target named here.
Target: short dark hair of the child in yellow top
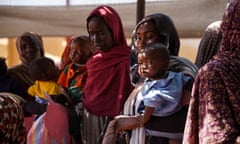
(43, 69)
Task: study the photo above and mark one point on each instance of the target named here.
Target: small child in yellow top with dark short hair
(44, 72)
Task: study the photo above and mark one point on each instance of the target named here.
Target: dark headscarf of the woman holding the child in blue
(165, 27)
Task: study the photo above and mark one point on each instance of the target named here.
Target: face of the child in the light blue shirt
(151, 66)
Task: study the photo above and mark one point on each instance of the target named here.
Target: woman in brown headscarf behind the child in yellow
(29, 47)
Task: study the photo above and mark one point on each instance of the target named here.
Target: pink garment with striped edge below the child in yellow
(51, 127)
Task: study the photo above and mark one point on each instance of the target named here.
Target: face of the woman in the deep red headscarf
(100, 34)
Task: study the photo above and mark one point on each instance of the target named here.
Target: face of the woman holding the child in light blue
(147, 33)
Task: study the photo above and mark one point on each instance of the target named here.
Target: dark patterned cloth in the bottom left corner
(12, 129)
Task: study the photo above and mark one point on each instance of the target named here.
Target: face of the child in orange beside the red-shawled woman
(78, 53)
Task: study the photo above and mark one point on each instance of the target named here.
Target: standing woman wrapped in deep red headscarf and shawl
(108, 84)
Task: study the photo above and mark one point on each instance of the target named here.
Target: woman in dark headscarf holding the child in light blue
(160, 28)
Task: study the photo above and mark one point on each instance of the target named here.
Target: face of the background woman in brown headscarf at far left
(29, 50)
